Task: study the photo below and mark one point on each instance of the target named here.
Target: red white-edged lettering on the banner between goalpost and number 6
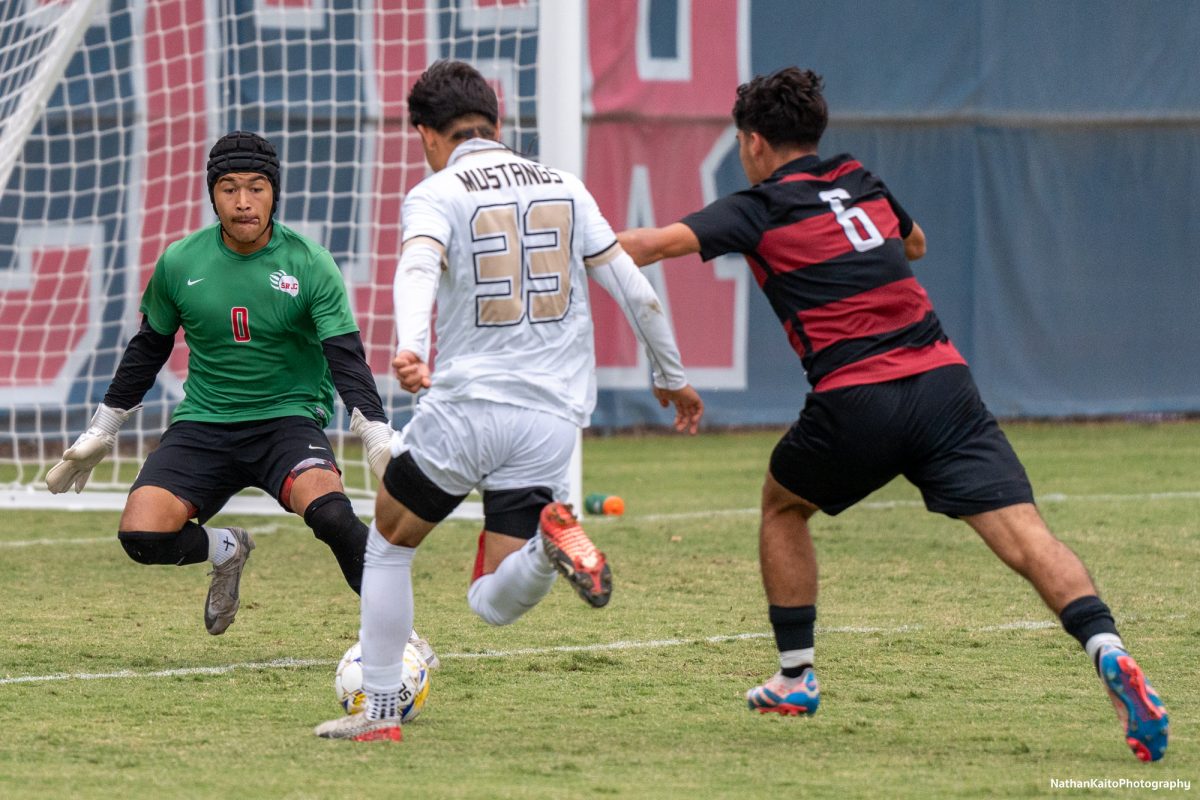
(659, 131)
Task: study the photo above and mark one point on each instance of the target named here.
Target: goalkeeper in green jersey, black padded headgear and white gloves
(271, 335)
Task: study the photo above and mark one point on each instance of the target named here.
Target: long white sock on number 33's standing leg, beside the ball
(387, 621)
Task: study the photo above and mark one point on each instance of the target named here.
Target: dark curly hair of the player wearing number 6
(787, 109)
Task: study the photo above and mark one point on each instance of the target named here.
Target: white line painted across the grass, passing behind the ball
(290, 664)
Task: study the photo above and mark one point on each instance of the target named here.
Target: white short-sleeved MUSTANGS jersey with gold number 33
(513, 315)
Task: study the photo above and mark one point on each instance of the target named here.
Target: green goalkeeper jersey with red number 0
(254, 326)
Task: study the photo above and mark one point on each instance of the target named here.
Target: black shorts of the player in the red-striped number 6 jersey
(933, 429)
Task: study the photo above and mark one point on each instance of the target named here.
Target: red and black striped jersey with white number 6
(825, 240)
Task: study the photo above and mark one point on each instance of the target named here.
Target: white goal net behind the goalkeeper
(107, 112)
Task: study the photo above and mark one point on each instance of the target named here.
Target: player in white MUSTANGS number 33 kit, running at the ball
(506, 248)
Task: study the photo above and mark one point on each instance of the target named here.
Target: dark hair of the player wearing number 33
(451, 91)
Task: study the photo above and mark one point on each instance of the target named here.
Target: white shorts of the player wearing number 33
(481, 444)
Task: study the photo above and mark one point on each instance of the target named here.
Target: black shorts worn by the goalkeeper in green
(207, 464)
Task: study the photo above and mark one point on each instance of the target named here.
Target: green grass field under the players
(943, 676)
